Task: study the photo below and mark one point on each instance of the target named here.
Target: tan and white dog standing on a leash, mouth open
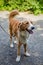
(21, 31)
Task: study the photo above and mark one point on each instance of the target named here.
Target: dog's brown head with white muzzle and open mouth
(27, 25)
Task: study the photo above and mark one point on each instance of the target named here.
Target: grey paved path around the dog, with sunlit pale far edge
(35, 44)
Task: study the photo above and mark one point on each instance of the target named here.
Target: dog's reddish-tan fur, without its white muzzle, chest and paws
(14, 28)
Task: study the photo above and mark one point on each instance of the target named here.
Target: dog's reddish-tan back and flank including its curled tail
(13, 23)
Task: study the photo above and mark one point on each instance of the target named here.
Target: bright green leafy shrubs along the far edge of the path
(36, 6)
